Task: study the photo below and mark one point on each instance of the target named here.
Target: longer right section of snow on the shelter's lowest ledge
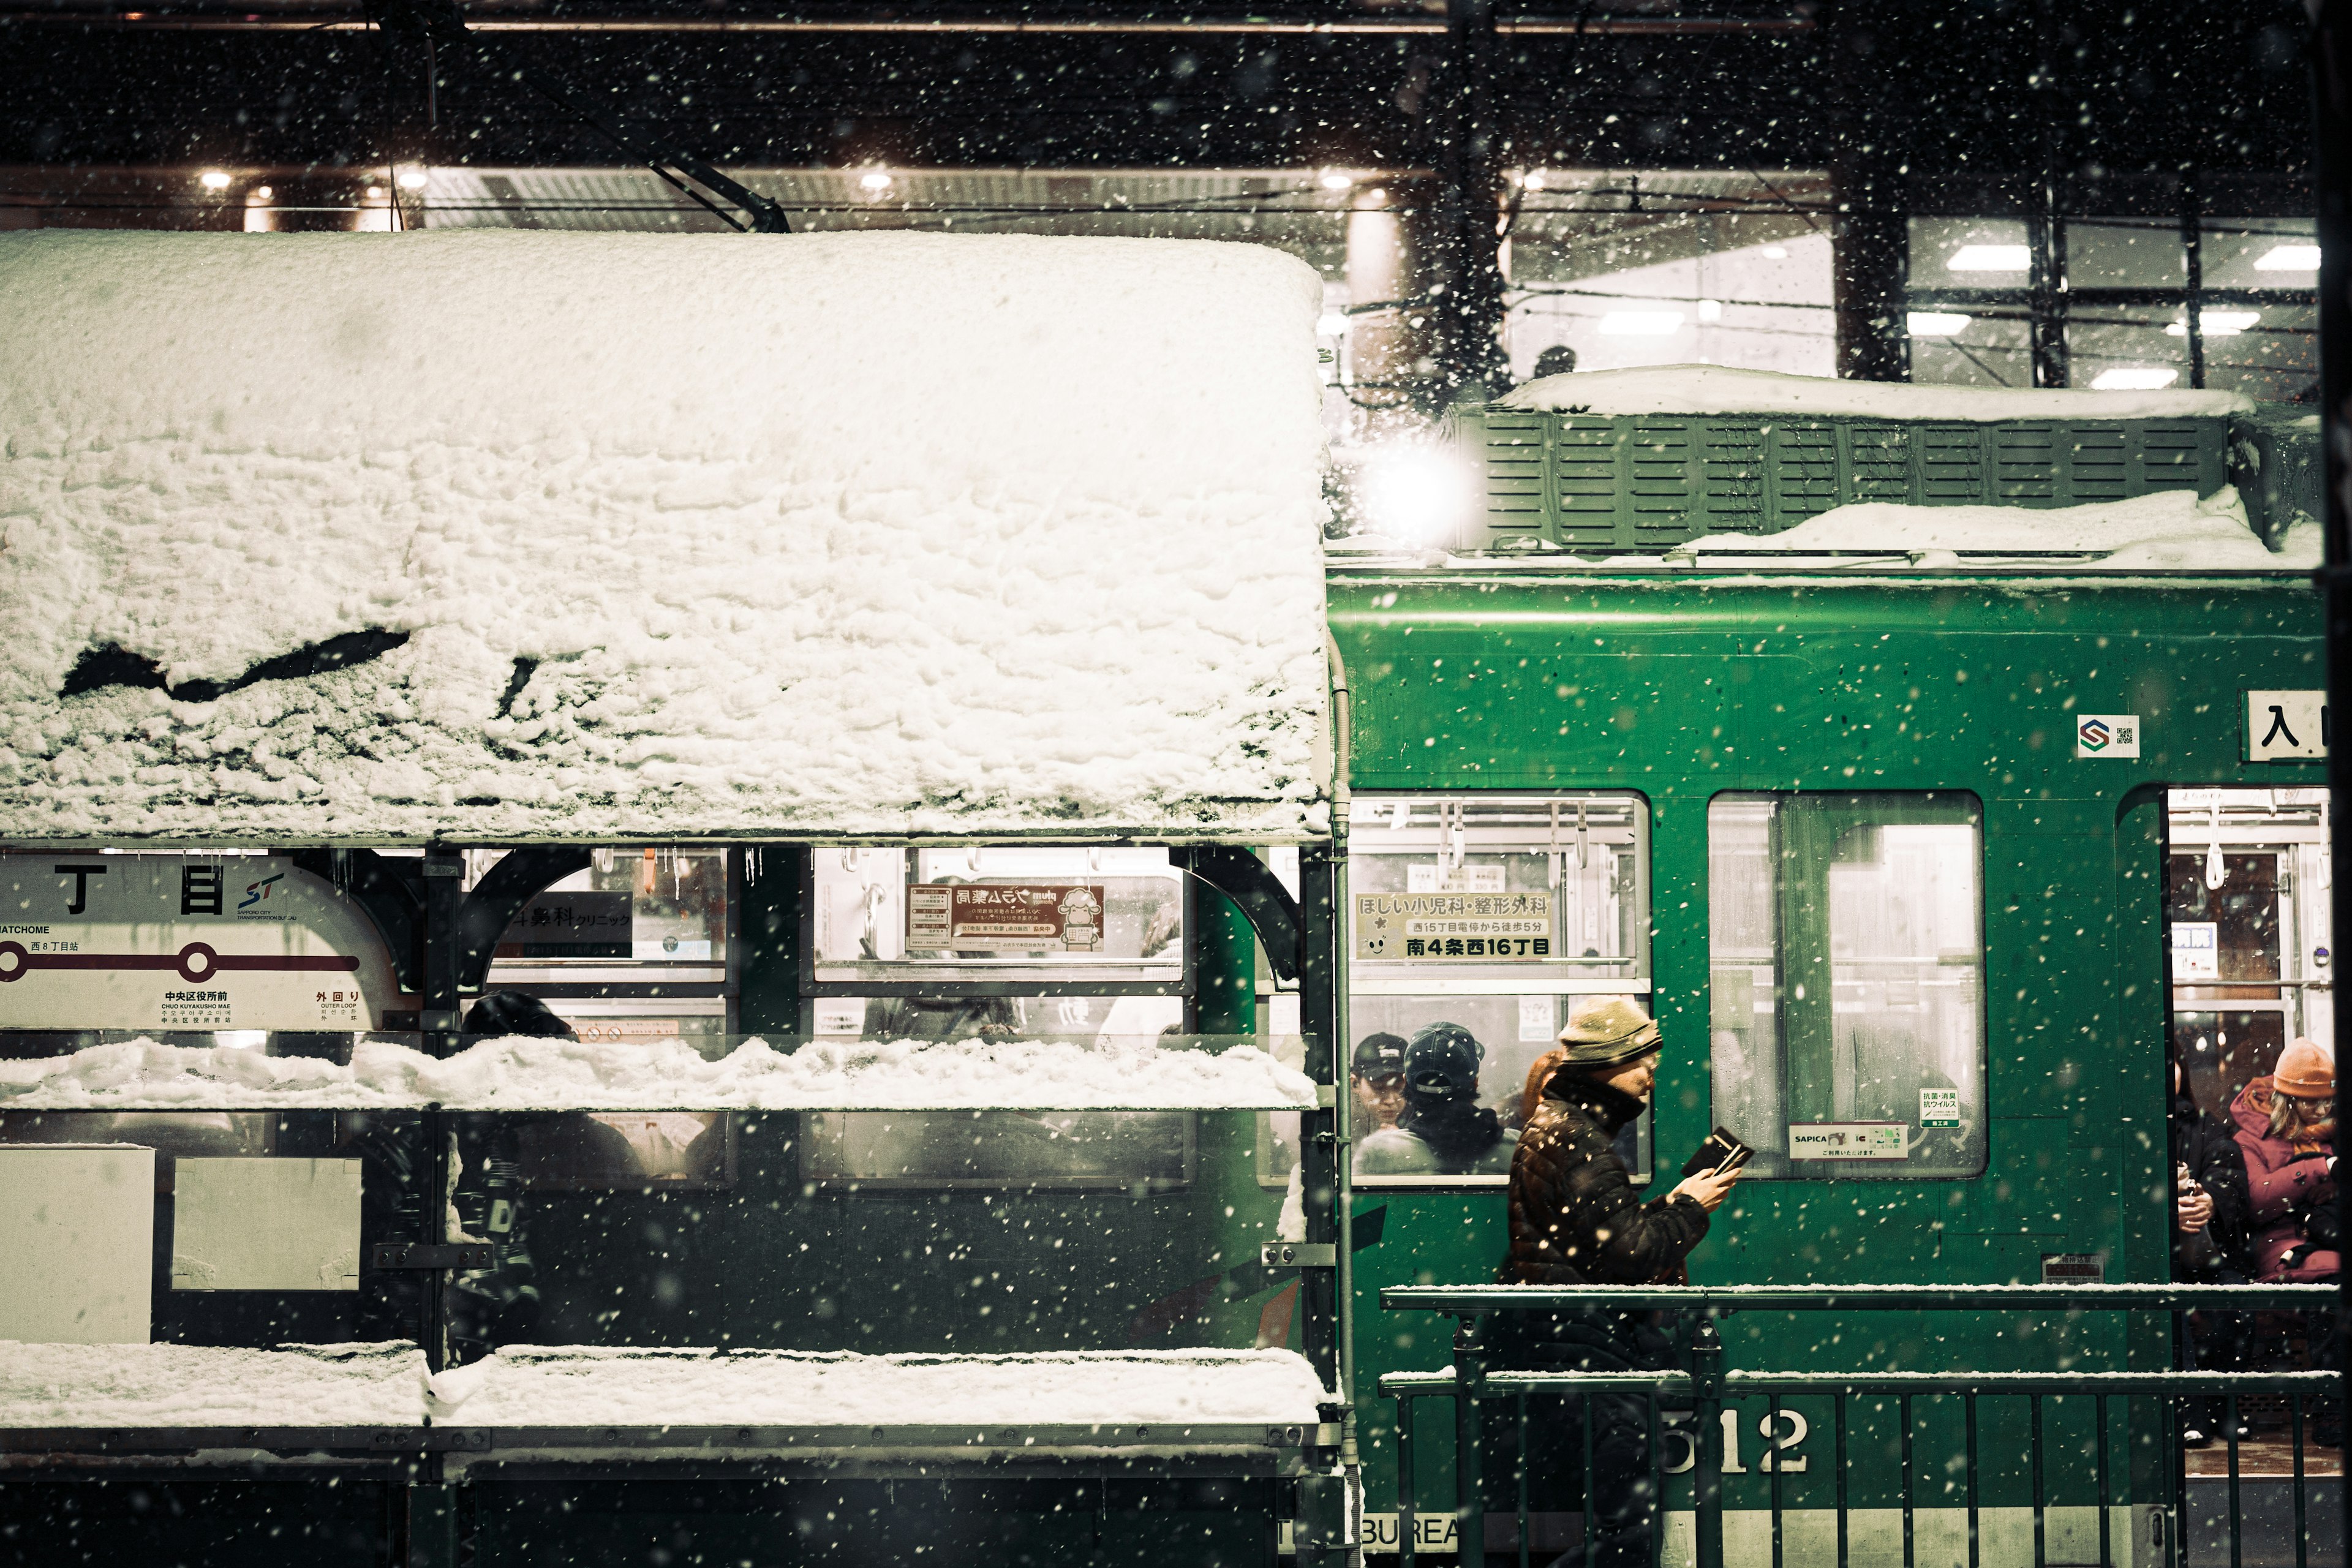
(697, 1388)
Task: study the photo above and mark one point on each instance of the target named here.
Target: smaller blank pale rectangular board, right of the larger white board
(267, 1226)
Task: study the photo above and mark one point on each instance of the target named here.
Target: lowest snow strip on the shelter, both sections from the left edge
(526, 1386)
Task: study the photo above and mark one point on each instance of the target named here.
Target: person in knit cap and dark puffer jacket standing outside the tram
(1577, 1221)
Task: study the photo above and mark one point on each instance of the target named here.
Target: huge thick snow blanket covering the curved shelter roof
(686, 535)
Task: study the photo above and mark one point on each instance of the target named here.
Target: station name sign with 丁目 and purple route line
(185, 944)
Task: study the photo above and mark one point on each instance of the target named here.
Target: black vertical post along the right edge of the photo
(2332, 177)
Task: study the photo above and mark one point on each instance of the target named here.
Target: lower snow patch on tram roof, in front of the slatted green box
(2170, 530)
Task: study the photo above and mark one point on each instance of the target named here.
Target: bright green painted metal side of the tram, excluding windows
(1692, 685)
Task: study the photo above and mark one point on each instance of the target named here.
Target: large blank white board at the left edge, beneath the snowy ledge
(79, 1238)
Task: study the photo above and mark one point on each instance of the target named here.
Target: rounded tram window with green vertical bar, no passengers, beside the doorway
(1847, 981)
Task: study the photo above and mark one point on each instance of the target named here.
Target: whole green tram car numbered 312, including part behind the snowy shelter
(1902, 852)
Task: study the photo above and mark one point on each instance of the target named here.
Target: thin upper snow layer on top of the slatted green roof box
(1718, 389)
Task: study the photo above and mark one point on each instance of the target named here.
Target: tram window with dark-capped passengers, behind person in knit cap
(1495, 916)
